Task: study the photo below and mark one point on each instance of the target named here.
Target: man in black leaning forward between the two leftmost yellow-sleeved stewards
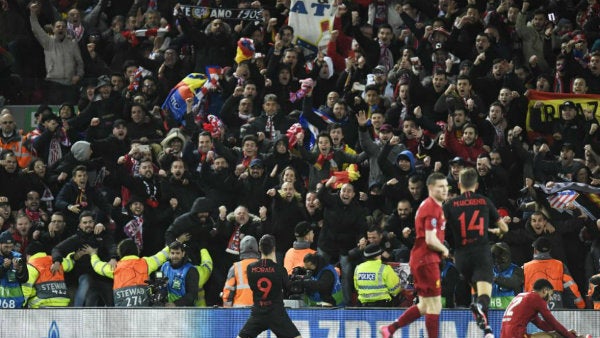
(92, 289)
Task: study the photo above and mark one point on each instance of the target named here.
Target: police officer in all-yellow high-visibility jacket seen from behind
(375, 282)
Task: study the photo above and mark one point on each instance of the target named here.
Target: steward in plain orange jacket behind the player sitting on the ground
(556, 272)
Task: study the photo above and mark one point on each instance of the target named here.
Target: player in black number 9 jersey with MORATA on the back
(267, 280)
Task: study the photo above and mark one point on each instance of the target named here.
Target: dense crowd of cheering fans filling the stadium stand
(403, 89)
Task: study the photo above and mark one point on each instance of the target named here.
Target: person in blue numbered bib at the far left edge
(12, 274)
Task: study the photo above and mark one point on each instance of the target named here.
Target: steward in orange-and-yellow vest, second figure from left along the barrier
(44, 288)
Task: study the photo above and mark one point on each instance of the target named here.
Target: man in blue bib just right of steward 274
(183, 277)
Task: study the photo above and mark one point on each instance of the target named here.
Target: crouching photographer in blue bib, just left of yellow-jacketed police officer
(321, 284)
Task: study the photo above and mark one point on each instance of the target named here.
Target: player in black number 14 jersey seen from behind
(468, 217)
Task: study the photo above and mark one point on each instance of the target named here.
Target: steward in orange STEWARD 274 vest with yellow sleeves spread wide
(129, 286)
